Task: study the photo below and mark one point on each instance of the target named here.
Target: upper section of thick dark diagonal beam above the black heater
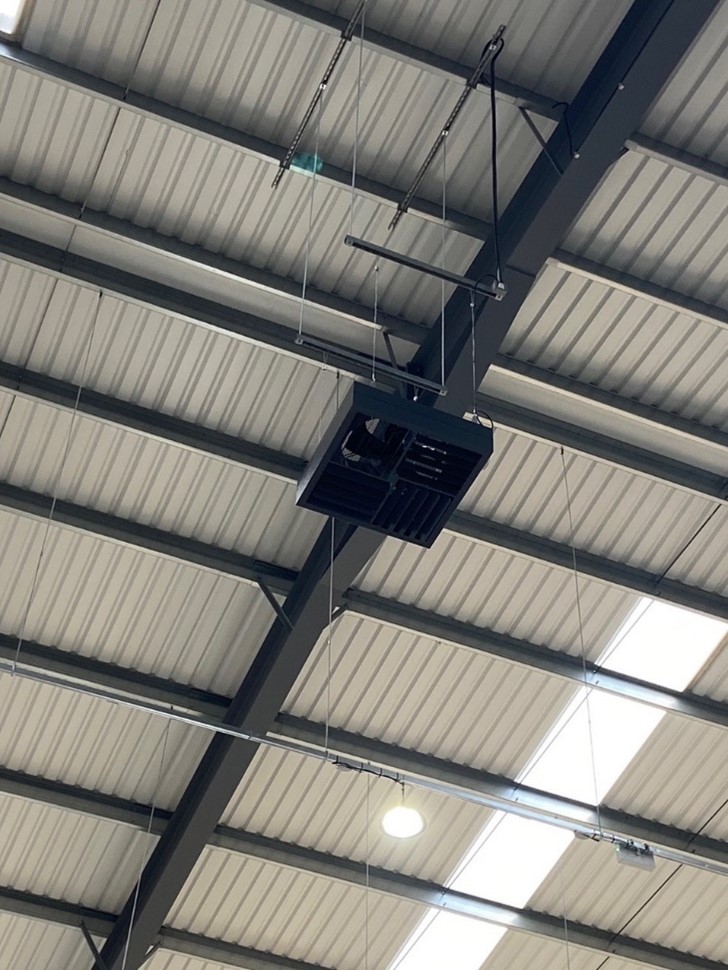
(602, 117)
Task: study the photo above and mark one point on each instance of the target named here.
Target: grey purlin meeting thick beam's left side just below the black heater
(146, 537)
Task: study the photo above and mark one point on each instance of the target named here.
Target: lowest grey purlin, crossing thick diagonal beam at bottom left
(99, 923)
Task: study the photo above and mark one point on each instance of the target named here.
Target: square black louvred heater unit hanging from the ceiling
(394, 466)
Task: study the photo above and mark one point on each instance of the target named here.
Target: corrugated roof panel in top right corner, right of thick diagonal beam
(689, 112)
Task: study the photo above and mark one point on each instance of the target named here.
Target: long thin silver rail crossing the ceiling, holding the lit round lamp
(314, 750)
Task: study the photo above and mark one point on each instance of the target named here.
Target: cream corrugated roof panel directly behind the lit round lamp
(307, 802)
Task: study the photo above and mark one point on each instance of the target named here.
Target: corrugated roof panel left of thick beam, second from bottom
(77, 858)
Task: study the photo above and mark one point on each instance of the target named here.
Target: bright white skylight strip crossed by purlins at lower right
(512, 857)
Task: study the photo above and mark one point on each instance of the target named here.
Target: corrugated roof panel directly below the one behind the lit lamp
(307, 917)
